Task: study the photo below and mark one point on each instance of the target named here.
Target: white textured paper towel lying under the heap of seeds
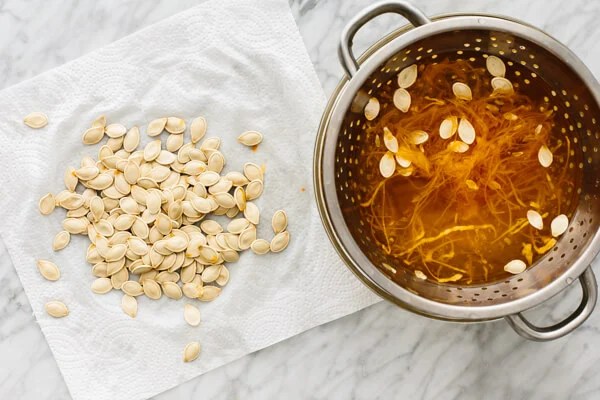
(242, 65)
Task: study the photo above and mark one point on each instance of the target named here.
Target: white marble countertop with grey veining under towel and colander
(381, 352)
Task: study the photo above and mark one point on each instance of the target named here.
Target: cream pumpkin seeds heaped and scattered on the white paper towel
(147, 214)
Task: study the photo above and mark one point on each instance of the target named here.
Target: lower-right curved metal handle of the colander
(529, 331)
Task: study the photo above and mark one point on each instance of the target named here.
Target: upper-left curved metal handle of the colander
(404, 8)
